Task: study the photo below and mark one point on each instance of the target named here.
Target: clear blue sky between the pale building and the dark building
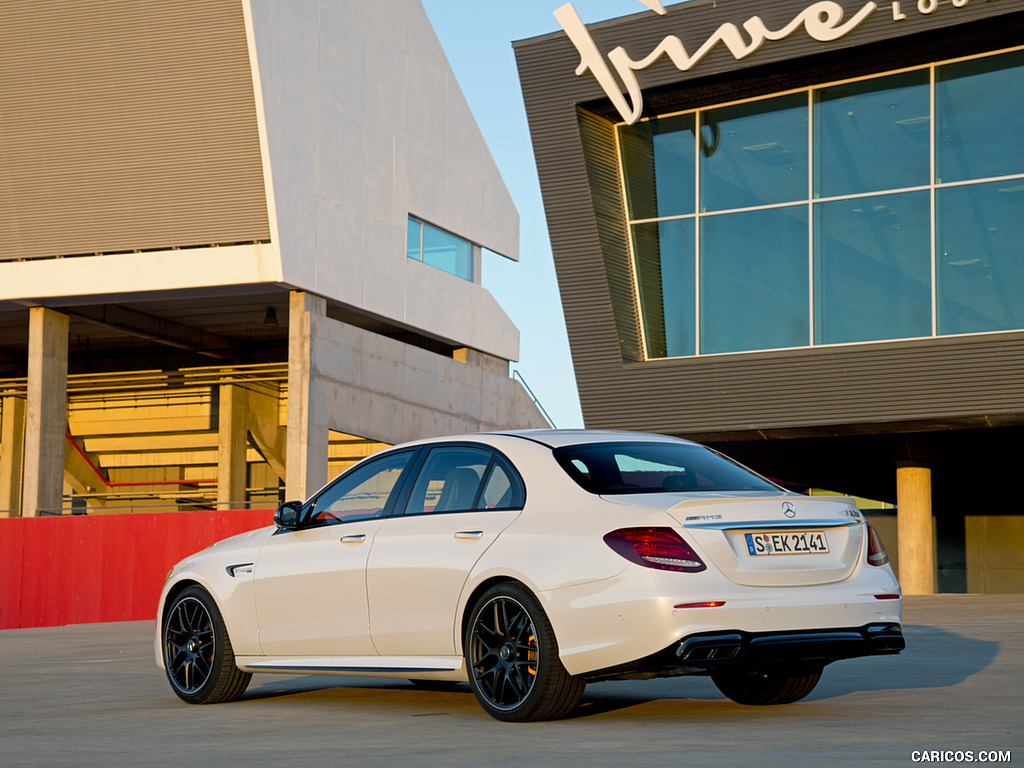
(478, 38)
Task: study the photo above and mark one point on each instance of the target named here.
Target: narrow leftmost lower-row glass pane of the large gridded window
(665, 266)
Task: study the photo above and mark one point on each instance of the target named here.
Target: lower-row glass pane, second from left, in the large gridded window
(754, 281)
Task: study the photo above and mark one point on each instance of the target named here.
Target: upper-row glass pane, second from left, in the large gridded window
(754, 154)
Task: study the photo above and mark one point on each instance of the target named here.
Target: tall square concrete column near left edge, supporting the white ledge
(47, 412)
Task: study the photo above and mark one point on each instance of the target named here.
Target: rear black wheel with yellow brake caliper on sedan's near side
(513, 659)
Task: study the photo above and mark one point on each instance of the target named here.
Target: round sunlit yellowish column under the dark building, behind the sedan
(914, 530)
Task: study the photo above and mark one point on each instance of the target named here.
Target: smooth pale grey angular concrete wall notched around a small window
(366, 125)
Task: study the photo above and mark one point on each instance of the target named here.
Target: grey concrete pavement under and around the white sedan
(92, 696)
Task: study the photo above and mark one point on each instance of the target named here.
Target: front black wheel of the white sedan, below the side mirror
(198, 656)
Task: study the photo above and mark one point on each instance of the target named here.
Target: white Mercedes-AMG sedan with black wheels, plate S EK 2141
(531, 564)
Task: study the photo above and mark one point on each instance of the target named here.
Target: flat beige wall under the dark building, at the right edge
(995, 559)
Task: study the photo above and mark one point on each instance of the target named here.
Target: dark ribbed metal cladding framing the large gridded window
(930, 383)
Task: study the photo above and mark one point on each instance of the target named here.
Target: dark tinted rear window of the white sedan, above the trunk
(655, 468)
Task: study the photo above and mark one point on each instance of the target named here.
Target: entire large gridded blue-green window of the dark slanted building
(884, 208)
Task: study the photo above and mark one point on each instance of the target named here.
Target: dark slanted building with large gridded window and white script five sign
(794, 231)
